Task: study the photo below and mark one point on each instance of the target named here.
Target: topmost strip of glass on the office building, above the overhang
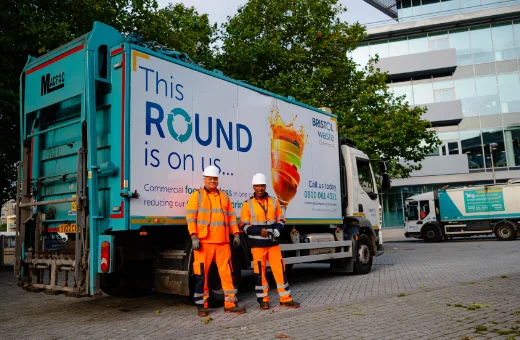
(408, 10)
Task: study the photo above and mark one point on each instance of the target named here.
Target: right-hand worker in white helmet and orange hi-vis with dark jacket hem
(262, 219)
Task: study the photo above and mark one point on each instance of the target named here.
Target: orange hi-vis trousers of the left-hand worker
(202, 259)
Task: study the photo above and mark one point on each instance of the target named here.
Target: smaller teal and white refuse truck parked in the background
(467, 211)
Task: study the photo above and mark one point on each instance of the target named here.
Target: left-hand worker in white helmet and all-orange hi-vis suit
(211, 218)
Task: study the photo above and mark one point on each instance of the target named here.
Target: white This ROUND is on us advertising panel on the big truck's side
(183, 119)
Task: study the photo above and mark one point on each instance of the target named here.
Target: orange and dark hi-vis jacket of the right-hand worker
(258, 214)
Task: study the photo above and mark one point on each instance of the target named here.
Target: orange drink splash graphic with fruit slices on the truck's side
(287, 146)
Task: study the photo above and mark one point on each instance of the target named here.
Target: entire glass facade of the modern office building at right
(486, 82)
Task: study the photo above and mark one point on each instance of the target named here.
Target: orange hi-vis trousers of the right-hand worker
(274, 256)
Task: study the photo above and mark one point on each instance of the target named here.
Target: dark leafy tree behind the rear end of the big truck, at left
(36, 27)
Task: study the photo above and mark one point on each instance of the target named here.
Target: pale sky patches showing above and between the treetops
(219, 10)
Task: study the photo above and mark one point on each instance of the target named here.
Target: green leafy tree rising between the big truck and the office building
(301, 49)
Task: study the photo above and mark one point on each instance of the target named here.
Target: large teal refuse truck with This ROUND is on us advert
(115, 134)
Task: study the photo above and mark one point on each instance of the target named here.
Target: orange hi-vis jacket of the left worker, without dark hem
(210, 216)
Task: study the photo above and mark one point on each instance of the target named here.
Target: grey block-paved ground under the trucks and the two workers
(416, 290)
